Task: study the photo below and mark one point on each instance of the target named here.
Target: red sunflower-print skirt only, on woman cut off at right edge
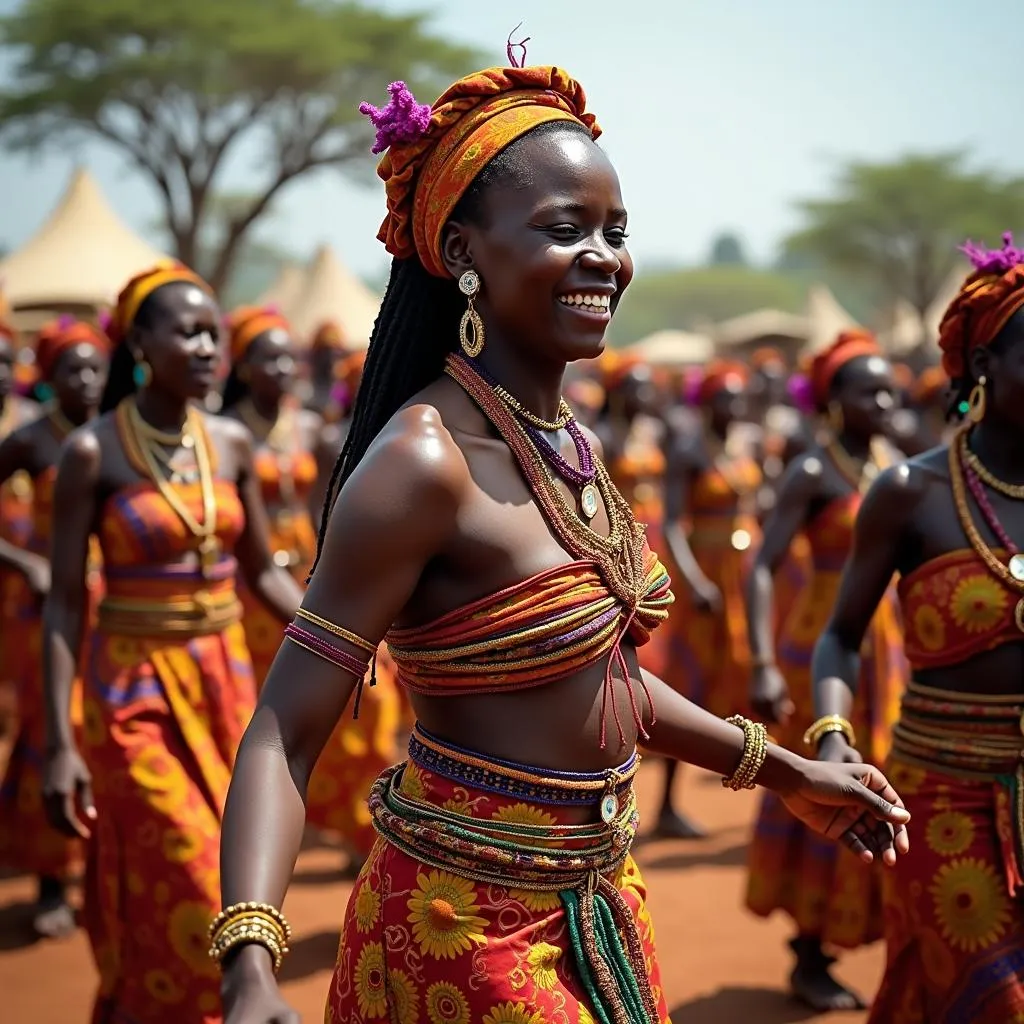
(955, 907)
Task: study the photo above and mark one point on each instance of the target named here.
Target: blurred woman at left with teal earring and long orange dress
(170, 496)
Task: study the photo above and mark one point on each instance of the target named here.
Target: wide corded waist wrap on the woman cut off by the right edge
(972, 735)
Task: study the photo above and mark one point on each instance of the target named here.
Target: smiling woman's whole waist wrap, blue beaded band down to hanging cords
(525, 846)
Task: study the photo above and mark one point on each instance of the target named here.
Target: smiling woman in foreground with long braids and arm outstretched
(473, 523)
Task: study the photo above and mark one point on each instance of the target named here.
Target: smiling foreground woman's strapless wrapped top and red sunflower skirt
(428, 936)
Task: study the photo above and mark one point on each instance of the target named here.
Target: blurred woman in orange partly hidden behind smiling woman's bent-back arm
(293, 455)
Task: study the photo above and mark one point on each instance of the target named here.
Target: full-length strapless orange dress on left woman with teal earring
(168, 692)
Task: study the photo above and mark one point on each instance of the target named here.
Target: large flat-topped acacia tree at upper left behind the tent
(190, 93)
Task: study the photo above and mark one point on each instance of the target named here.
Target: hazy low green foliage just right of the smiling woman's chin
(689, 300)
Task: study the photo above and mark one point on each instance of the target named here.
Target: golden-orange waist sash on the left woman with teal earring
(169, 601)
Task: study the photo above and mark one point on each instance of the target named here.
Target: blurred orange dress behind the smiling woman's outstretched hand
(828, 891)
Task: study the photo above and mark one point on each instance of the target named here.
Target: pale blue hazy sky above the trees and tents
(719, 114)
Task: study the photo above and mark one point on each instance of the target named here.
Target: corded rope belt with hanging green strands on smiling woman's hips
(606, 946)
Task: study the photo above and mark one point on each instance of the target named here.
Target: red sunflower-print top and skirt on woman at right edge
(955, 906)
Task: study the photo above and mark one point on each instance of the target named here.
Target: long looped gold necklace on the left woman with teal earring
(141, 437)
